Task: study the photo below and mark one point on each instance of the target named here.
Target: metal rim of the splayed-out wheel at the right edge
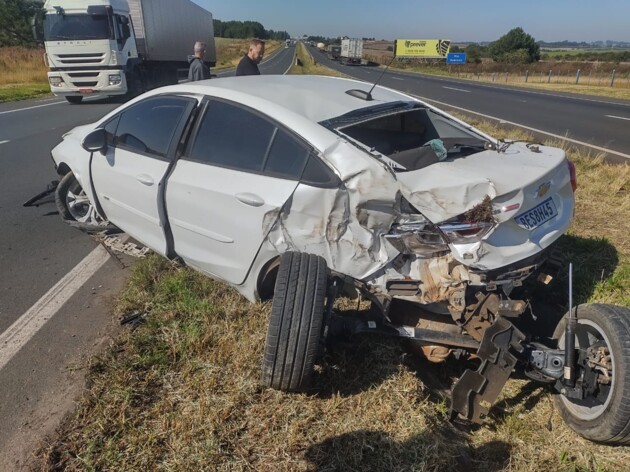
(589, 333)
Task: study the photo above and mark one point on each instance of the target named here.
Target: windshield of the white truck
(76, 27)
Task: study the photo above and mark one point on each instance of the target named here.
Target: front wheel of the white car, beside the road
(75, 207)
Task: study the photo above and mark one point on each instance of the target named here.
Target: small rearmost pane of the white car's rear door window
(287, 156)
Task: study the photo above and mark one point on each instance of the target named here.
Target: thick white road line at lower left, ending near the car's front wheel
(27, 325)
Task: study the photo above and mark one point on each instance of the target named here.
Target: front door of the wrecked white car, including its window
(128, 179)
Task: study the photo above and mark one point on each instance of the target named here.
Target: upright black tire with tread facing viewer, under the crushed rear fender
(295, 327)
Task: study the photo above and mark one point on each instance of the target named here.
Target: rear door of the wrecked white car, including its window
(225, 193)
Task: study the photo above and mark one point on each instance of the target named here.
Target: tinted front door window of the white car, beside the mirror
(148, 126)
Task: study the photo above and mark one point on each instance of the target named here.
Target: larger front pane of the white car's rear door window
(231, 136)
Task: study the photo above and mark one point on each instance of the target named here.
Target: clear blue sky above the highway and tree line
(457, 20)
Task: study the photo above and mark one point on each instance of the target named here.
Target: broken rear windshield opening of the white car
(411, 135)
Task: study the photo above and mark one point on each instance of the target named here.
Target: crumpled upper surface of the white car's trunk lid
(447, 189)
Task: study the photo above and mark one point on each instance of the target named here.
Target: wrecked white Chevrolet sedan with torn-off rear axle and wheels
(303, 189)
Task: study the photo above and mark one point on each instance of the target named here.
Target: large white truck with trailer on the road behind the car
(118, 47)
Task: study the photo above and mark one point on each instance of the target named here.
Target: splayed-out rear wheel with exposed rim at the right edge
(603, 416)
